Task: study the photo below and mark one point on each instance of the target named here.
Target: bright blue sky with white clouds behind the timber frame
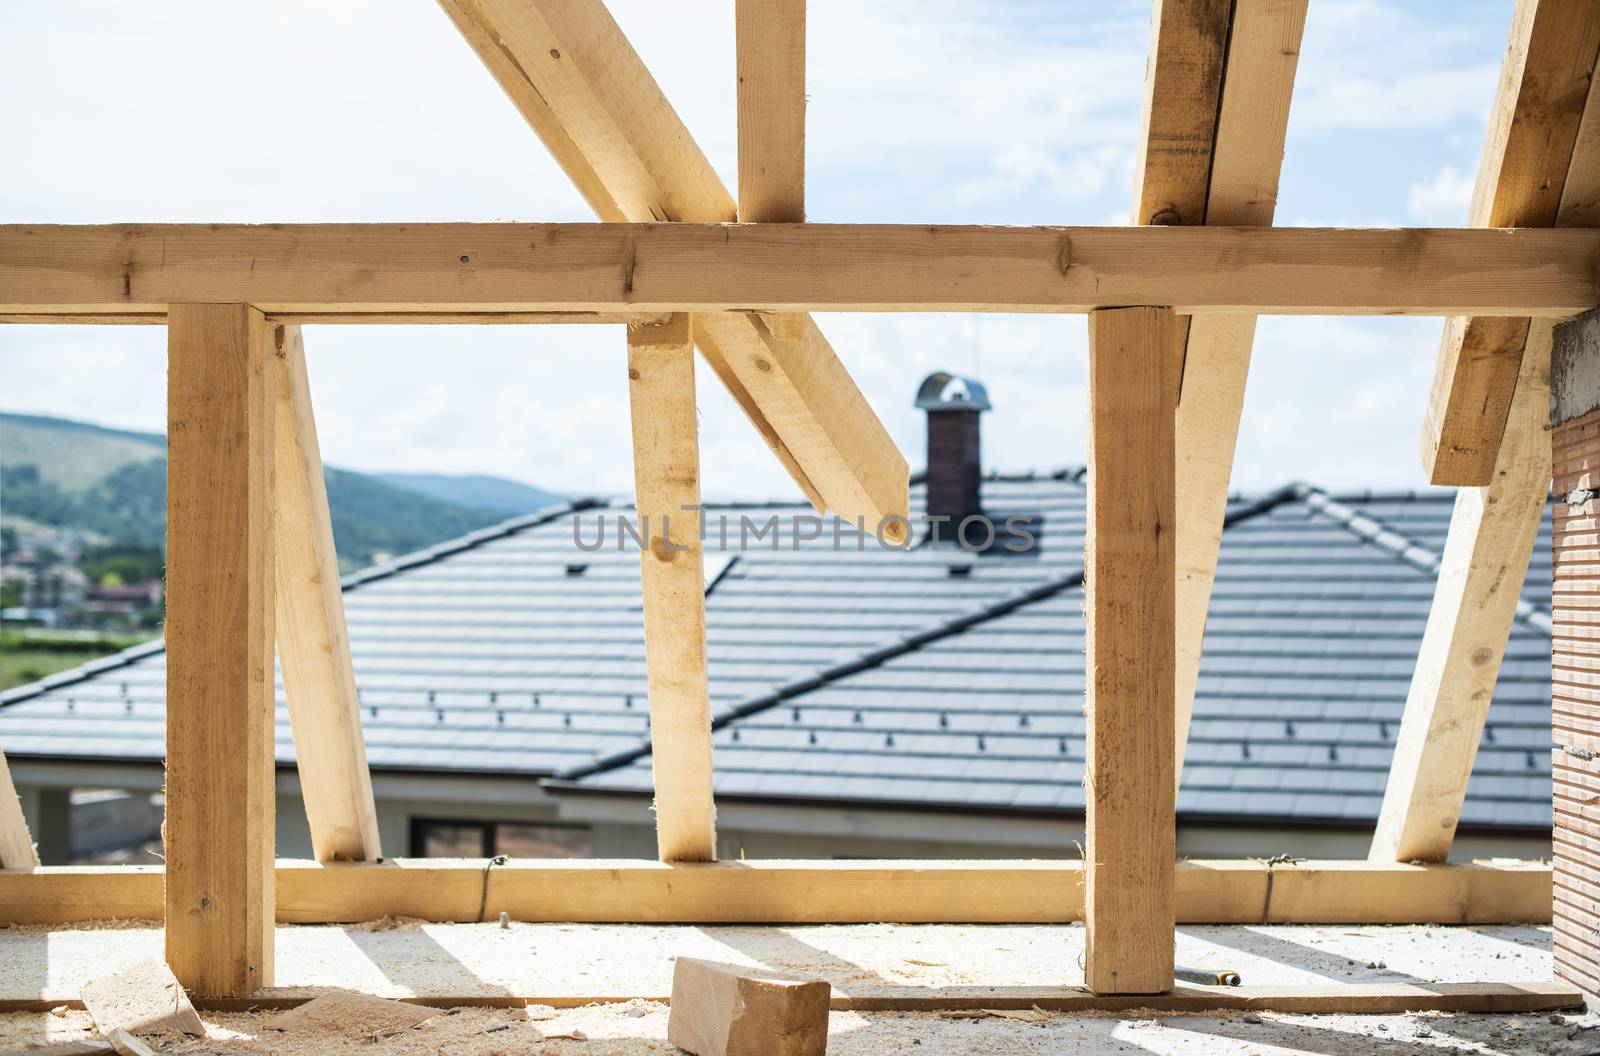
(921, 111)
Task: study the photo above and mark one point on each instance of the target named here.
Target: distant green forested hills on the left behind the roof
(113, 487)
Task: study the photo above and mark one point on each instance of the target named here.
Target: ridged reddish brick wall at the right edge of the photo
(1575, 449)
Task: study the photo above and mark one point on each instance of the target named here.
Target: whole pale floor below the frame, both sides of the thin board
(631, 966)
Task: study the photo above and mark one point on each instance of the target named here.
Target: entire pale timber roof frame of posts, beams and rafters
(1172, 308)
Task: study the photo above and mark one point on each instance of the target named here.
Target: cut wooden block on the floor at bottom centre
(730, 1010)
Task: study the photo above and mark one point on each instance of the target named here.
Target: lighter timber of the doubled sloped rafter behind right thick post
(1252, 122)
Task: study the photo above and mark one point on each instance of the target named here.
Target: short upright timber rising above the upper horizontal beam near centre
(770, 47)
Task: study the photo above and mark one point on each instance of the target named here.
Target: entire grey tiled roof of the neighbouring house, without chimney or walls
(930, 678)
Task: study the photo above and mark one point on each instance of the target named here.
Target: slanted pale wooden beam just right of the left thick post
(314, 647)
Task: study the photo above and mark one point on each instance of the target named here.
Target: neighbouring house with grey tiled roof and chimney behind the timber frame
(868, 703)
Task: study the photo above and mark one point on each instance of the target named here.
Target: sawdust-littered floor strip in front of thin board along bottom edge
(639, 1028)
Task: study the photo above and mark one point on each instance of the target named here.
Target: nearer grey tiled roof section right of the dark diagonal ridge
(1314, 630)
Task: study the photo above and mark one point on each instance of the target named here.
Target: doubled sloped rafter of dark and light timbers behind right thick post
(1218, 92)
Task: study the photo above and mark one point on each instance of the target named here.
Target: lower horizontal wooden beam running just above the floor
(809, 892)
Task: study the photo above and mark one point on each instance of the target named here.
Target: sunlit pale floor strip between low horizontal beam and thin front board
(574, 964)
